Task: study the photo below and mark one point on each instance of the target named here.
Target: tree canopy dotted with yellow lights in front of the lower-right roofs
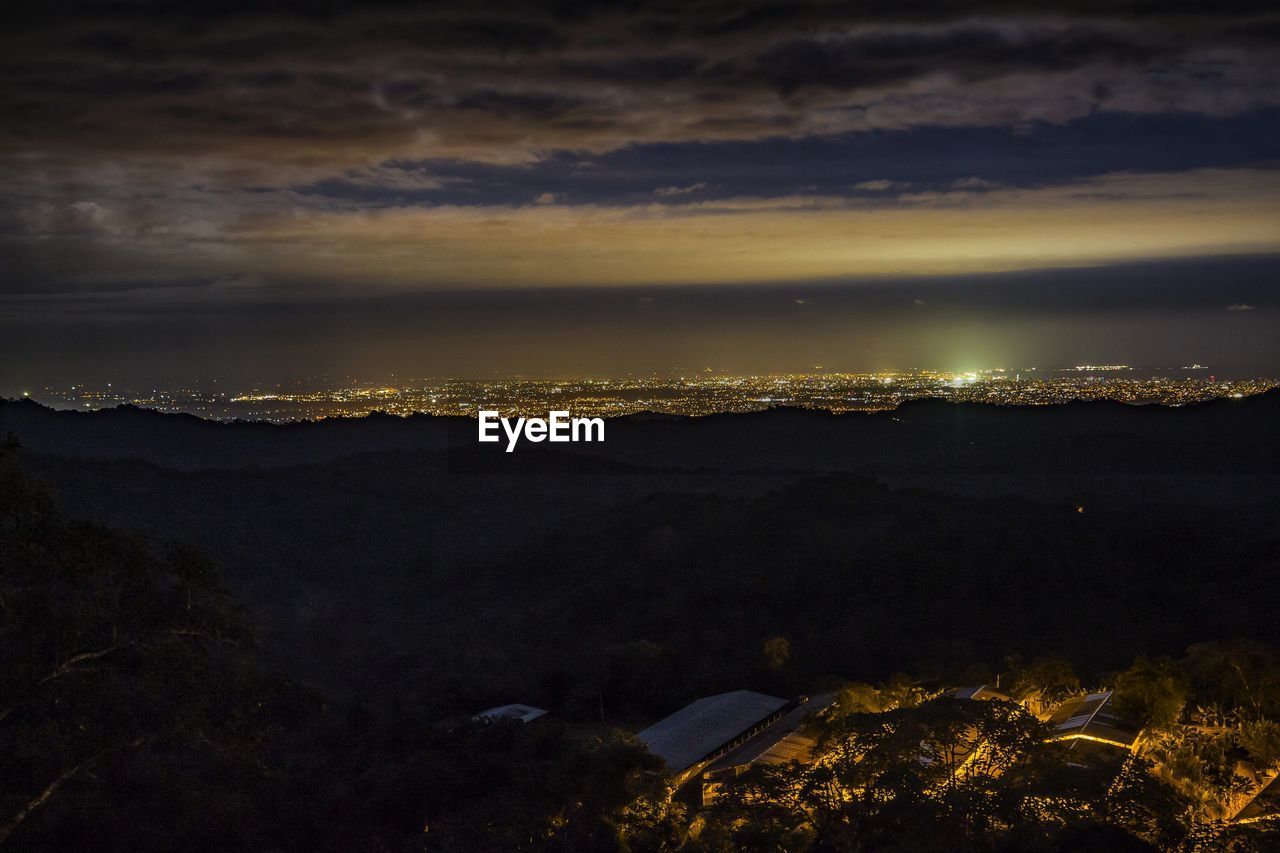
(944, 776)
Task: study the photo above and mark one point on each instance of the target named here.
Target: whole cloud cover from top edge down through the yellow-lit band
(458, 143)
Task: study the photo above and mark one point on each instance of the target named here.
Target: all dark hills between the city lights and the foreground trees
(397, 558)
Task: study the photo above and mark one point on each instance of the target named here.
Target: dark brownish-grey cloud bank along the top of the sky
(371, 81)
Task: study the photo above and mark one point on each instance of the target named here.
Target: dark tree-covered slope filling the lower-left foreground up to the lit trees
(135, 718)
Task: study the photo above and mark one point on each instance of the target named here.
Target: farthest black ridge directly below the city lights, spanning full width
(931, 436)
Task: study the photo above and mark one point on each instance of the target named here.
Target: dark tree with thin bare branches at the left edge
(121, 663)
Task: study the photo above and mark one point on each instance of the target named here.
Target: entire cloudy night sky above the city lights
(273, 190)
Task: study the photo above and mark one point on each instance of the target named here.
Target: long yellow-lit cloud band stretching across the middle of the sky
(367, 249)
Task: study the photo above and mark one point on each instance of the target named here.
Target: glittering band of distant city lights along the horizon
(696, 395)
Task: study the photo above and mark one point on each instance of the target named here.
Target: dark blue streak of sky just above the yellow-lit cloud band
(884, 163)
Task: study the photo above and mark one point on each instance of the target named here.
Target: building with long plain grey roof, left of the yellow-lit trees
(705, 731)
